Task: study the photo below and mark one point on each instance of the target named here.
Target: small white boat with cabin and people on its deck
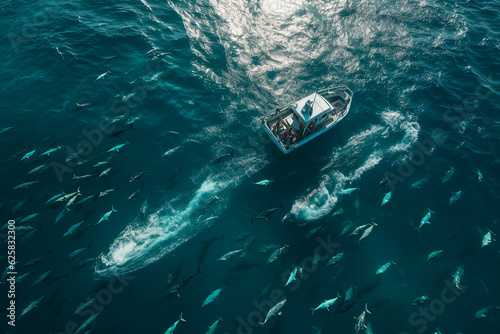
(307, 118)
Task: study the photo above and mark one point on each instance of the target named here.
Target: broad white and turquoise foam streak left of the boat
(144, 242)
